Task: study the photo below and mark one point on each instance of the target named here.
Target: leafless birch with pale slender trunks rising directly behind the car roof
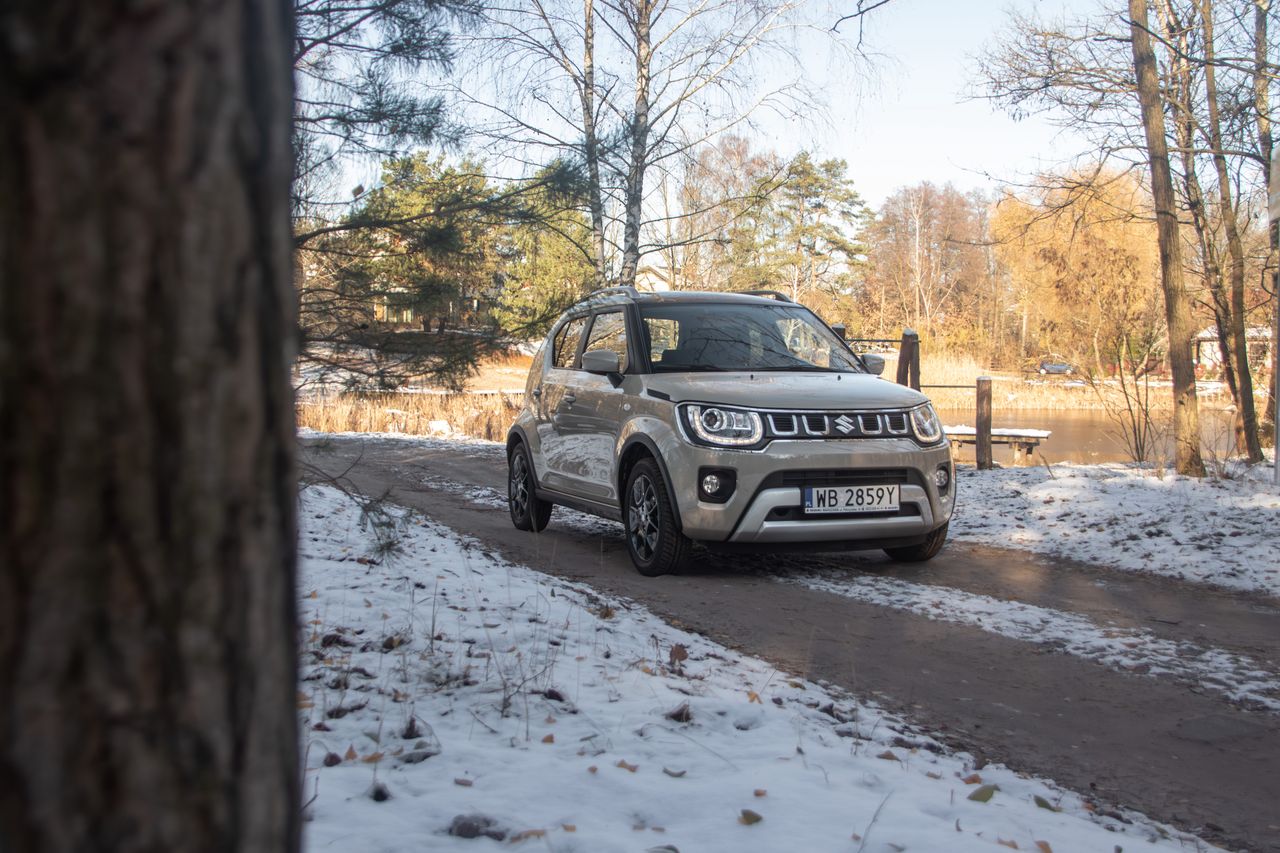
(630, 88)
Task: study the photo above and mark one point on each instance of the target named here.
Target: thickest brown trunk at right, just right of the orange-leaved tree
(1187, 453)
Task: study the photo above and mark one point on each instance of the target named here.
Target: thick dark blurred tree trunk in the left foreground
(148, 486)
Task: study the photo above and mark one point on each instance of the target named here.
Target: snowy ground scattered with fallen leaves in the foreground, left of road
(445, 688)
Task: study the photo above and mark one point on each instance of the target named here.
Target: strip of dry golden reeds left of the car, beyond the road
(414, 414)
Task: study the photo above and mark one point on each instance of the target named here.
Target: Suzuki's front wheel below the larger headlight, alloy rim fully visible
(655, 542)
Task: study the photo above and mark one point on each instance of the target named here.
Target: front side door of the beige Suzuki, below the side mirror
(592, 412)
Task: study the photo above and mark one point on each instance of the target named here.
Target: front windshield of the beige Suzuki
(742, 336)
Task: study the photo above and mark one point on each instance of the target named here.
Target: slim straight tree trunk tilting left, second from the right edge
(1246, 412)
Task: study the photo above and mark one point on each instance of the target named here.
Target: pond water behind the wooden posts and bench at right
(1087, 436)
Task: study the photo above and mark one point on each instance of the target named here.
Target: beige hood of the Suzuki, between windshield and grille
(770, 390)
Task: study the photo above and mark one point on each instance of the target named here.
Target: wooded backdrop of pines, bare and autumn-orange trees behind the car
(536, 153)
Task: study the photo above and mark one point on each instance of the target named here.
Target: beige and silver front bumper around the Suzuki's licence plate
(766, 507)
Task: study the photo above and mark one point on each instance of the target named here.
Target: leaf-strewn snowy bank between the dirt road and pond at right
(1218, 531)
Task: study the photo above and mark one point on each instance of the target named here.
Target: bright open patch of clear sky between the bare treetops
(915, 121)
